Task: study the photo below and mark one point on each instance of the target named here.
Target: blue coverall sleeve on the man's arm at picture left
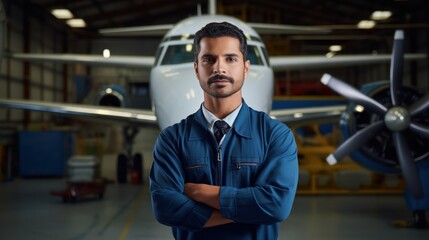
(169, 205)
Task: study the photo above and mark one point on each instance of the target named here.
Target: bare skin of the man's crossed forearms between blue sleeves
(209, 195)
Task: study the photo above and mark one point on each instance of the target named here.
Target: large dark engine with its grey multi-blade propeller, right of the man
(386, 129)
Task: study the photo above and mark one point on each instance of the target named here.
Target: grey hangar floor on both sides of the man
(29, 211)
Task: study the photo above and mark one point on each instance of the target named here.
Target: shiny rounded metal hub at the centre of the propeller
(397, 119)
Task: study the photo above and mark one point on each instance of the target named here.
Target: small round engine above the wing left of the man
(113, 96)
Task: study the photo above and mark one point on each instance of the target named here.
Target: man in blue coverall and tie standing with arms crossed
(240, 187)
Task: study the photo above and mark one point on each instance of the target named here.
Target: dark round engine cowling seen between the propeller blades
(378, 153)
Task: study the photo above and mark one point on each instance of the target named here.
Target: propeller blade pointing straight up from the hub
(397, 66)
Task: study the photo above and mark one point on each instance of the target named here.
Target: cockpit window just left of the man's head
(176, 54)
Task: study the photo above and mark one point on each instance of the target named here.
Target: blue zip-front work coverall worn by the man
(256, 168)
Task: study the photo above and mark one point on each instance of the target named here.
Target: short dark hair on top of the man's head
(220, 29)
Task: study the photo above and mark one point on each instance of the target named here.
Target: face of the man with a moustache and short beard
(220, 67)
